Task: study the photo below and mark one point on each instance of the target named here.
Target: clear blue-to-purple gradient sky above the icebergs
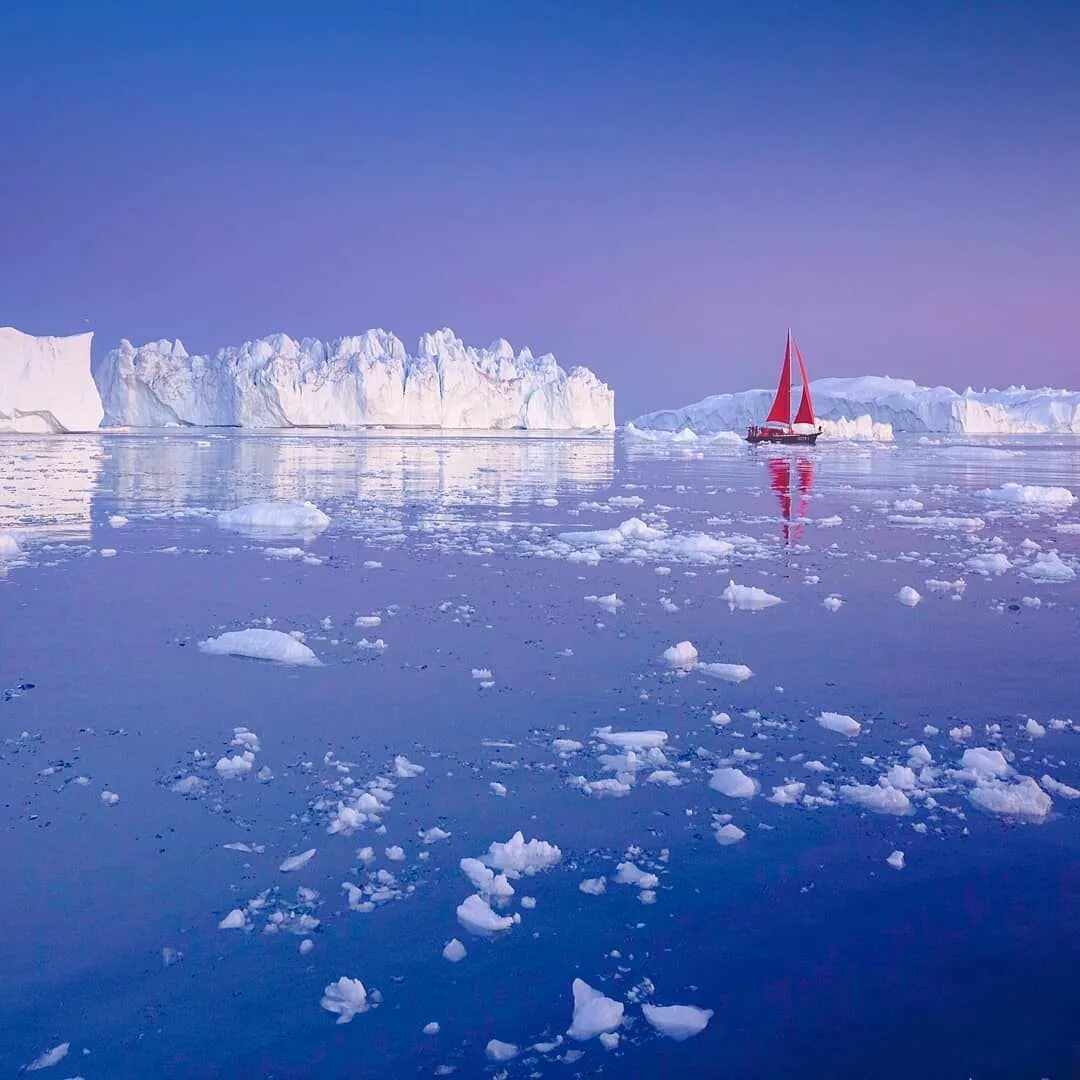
(654, 191)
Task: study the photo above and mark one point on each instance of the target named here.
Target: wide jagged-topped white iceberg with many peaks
(353, 382)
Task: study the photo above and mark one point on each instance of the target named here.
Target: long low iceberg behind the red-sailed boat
(873, 407)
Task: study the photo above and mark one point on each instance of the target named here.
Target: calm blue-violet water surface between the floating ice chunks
(817, 957)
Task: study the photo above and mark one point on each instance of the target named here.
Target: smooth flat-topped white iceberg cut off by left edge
(46, 384)
